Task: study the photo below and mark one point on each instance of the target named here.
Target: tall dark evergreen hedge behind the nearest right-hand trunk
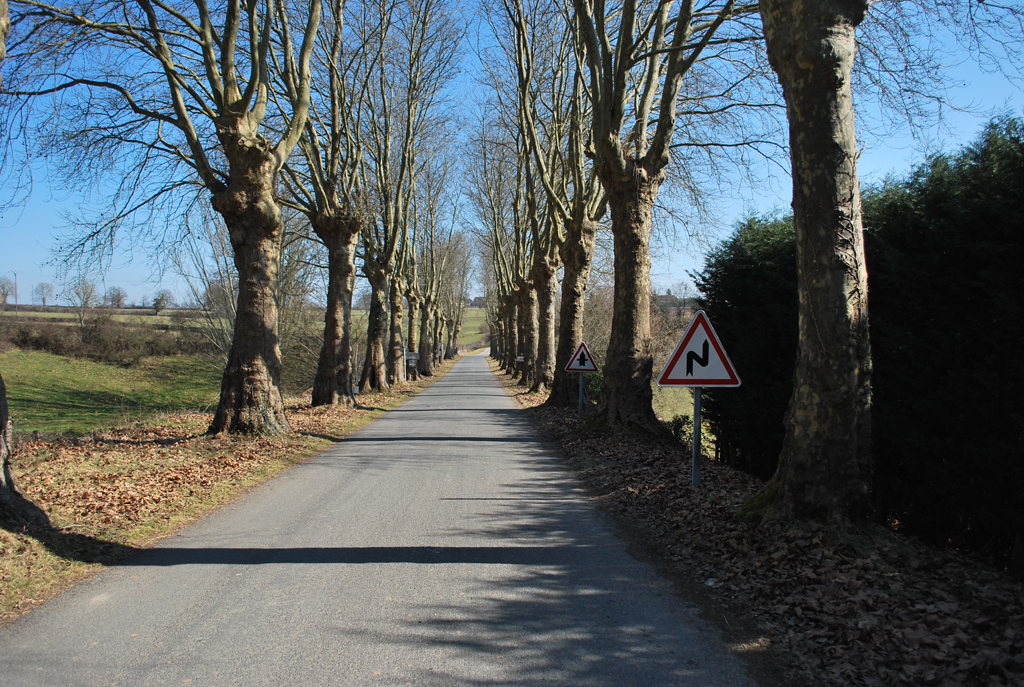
(948, 325)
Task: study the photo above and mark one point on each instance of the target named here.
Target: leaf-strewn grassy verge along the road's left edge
(117, 491)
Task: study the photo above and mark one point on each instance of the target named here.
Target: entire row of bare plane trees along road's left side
(248, 127)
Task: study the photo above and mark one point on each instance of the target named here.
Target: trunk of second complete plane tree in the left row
(333, 383)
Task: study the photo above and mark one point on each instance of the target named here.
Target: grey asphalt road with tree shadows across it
(442, 545)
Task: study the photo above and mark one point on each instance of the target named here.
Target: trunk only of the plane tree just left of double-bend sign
(626, 392)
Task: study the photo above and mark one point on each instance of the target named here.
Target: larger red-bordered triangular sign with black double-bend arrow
(700, 359)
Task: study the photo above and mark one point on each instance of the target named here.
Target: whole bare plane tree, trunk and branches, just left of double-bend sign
(638, 57)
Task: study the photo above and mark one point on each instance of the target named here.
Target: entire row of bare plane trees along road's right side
(600, 108)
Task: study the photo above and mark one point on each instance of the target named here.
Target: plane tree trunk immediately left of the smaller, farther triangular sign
(577, 253)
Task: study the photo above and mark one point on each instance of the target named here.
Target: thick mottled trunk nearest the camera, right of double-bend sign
(826, 464)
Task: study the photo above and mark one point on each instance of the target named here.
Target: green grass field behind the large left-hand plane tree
(51, 394)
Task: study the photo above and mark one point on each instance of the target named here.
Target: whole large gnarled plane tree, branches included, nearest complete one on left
(178, 94)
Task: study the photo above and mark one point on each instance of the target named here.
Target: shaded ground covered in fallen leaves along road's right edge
(864, 606)
